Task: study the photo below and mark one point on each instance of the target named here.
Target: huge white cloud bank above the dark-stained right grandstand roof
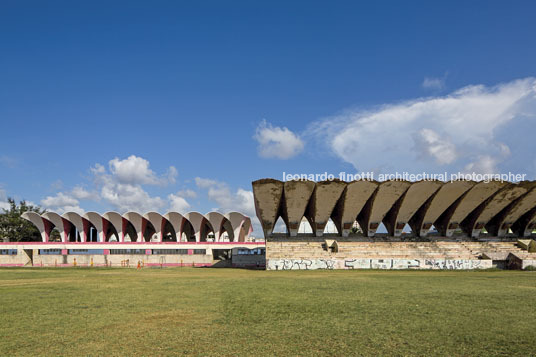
(454, 130)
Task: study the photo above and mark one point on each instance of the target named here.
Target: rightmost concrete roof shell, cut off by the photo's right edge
(500, 224)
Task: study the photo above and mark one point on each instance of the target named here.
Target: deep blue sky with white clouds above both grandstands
(166, 104)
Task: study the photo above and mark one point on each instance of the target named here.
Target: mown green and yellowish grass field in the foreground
(186, 311)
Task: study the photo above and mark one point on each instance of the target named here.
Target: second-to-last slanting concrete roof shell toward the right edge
(473, 224)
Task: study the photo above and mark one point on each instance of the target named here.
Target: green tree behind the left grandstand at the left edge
(13, 227)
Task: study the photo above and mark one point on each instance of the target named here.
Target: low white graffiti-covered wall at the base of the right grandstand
(365, 263)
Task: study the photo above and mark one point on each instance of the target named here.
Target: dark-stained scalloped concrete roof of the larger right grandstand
(451, 206)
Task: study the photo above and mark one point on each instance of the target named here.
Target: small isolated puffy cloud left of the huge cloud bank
(276, 142)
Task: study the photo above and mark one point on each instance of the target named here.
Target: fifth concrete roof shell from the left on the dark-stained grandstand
(379, 204)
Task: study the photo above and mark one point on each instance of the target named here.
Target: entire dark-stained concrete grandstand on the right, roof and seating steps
(459, 211)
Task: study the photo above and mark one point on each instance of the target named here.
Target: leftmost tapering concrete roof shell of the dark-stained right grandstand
(267, 194)
